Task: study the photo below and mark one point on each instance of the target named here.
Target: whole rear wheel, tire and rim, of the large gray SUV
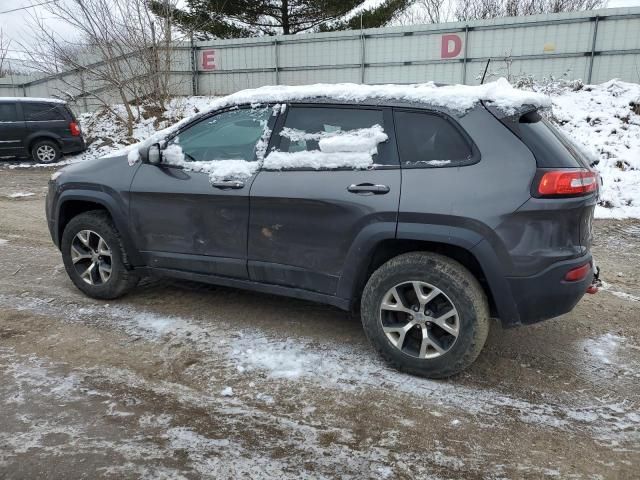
(425, 314)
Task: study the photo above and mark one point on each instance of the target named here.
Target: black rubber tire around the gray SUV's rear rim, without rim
(459, 287)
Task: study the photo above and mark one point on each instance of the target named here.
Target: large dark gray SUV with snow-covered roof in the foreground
(428, 220)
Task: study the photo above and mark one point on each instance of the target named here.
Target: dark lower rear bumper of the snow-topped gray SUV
(547, 295)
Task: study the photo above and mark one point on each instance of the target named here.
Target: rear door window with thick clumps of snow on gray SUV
(330, 138)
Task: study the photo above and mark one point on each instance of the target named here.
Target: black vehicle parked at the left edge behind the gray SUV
(41, 128)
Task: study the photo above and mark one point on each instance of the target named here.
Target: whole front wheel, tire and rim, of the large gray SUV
(94, 257)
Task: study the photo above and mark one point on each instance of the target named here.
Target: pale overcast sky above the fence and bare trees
(15, 24)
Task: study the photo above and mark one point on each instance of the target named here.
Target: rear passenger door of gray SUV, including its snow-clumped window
(310, 222)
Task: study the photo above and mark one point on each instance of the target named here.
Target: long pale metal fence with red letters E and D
(593, 46)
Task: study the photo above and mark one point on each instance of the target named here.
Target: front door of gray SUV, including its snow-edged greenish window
(183, 214)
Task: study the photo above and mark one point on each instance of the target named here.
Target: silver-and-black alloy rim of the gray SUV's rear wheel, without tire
(419, 319)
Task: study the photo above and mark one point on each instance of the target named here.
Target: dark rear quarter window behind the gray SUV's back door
(429, 140)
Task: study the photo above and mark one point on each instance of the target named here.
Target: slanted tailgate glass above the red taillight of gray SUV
(546, 143)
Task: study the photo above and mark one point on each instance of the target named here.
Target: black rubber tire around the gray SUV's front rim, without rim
(121, 279)
